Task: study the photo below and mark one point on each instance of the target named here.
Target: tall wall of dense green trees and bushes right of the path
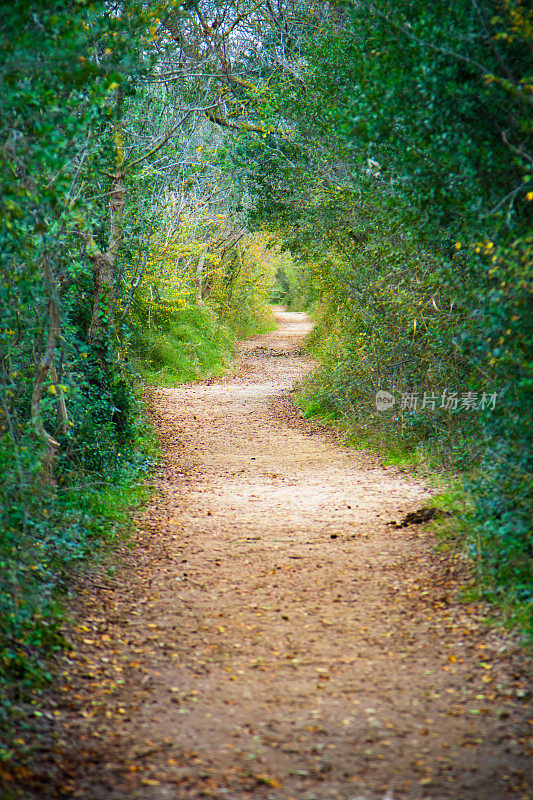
(411, 230)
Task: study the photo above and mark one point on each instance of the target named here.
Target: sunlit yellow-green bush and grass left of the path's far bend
(183, 321)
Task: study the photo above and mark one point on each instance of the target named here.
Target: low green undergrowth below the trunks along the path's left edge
(48, 537)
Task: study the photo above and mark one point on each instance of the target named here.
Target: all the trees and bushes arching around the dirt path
(166, 170)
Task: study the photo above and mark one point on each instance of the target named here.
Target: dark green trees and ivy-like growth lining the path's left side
(70, 423)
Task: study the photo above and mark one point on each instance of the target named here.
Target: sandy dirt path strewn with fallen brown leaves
(271, 635)
